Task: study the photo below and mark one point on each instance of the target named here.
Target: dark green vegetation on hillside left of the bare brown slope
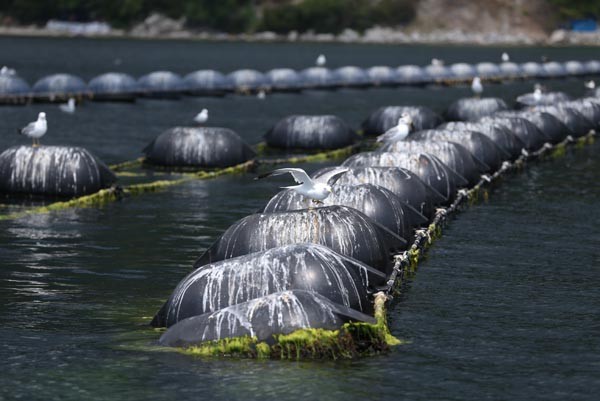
(220, 15)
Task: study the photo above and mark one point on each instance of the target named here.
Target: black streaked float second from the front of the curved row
(308, 267)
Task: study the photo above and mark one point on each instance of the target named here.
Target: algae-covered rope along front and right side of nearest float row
(356, 339)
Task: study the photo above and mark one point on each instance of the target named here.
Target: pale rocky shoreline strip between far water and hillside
(375, 35)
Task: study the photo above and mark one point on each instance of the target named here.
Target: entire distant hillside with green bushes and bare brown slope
(532, 17)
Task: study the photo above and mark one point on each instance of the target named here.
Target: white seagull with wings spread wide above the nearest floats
(317, 189)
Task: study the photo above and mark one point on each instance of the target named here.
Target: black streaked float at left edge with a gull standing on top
(52, 171)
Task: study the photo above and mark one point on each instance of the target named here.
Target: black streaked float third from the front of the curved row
(345, 230)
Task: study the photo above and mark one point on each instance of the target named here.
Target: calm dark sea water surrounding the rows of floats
(506, 305)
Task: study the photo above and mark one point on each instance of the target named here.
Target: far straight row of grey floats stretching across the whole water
(167, 85)
